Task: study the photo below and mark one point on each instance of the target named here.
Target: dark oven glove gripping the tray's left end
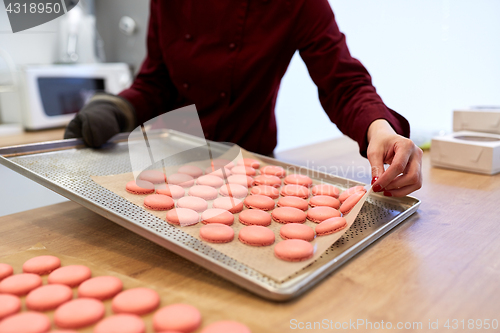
(100, 119)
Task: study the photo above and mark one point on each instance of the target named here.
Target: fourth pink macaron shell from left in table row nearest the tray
(138, 301)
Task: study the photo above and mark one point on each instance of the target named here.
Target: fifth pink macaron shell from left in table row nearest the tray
(178, 317)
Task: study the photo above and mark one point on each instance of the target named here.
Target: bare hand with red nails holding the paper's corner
(385, 146)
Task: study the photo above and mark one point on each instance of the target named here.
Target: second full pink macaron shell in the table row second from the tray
(48, 297)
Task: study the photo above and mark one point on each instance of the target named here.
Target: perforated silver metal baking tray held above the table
(65, 167)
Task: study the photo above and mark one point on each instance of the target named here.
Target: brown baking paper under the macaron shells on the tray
(261, 259)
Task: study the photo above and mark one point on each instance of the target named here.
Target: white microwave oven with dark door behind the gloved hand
(49, 96)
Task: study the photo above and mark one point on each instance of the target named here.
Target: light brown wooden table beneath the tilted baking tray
(442, 264)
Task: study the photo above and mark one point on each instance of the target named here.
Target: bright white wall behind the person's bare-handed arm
(426, 57)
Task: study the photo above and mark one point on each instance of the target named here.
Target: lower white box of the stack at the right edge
(467, 151)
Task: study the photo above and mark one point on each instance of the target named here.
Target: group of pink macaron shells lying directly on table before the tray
(88, 309)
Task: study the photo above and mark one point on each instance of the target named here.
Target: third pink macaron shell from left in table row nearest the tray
(100, 287)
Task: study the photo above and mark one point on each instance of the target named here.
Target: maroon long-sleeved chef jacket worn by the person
(228, 58)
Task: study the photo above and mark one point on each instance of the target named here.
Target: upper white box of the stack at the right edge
(480, 119)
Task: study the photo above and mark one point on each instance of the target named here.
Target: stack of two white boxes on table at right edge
(474, 145)
